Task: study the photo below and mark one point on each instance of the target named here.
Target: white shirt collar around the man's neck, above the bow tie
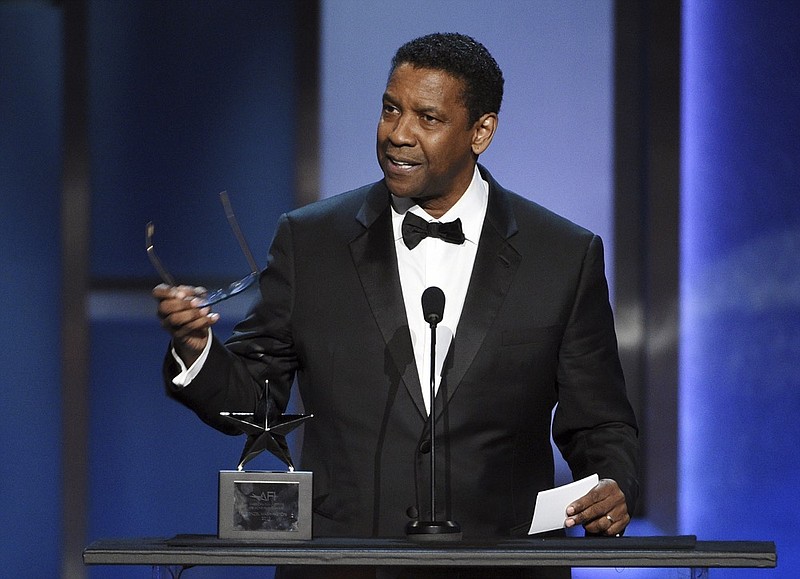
(470, 208)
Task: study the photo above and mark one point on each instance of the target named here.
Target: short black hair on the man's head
(464, 58)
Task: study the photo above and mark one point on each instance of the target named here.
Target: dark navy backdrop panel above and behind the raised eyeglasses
(188, 99)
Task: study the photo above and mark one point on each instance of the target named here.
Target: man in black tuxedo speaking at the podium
(527, 327)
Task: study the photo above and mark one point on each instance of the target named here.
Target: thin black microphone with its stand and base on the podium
(433, 530)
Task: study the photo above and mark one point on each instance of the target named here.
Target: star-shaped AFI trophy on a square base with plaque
(265, 506)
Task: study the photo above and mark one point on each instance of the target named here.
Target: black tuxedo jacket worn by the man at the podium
(536, 333)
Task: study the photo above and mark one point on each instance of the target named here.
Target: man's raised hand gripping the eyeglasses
(186, 323)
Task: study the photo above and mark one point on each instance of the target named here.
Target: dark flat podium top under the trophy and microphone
(164, 555)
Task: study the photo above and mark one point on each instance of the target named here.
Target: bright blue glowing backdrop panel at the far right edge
(740, 303)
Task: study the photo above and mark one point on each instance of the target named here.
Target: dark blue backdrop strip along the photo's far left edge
(30, 270)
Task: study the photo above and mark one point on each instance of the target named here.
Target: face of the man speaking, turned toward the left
(425, 145)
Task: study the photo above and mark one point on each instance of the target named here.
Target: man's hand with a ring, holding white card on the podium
(602, 511)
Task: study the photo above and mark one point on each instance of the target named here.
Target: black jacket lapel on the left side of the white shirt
(376, 262)
